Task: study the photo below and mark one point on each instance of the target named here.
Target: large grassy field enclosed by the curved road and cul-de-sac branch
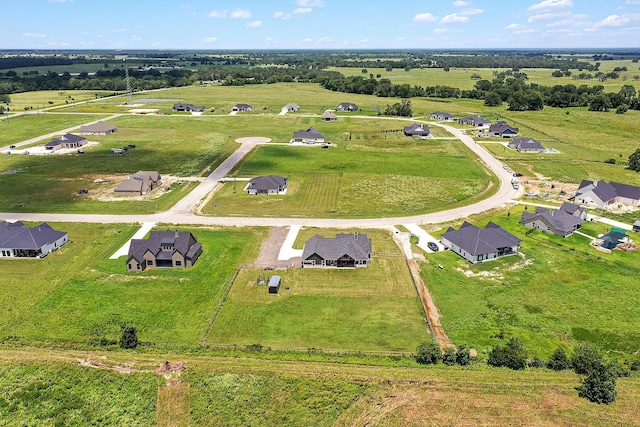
(369, 173)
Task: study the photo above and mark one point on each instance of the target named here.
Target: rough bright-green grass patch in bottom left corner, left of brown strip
(65, 394)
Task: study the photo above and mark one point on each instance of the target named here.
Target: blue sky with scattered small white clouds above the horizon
(318, 24)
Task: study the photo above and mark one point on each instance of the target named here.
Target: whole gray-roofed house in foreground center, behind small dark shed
(344, 250)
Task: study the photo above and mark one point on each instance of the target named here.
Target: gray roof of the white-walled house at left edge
(16, 236)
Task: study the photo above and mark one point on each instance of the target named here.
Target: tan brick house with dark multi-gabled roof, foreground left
(164, 249)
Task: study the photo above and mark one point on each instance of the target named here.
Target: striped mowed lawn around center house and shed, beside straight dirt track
(374, 308)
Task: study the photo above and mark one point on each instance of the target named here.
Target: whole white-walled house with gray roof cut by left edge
(18, 241)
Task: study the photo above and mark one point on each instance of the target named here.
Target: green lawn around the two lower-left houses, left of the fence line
(78, 294)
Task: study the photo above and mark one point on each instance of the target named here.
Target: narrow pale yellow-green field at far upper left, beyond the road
(51, 98)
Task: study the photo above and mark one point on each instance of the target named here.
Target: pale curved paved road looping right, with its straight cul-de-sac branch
(181, 213)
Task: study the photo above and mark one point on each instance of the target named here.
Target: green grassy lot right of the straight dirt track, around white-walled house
(557, 293)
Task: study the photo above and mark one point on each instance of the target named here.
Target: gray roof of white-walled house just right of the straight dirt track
(478, 241)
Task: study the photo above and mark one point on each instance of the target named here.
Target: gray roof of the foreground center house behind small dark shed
(354, 245)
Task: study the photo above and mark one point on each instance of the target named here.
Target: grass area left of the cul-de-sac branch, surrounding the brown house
(172, 147)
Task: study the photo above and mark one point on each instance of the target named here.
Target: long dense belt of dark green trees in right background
(507, 86)
